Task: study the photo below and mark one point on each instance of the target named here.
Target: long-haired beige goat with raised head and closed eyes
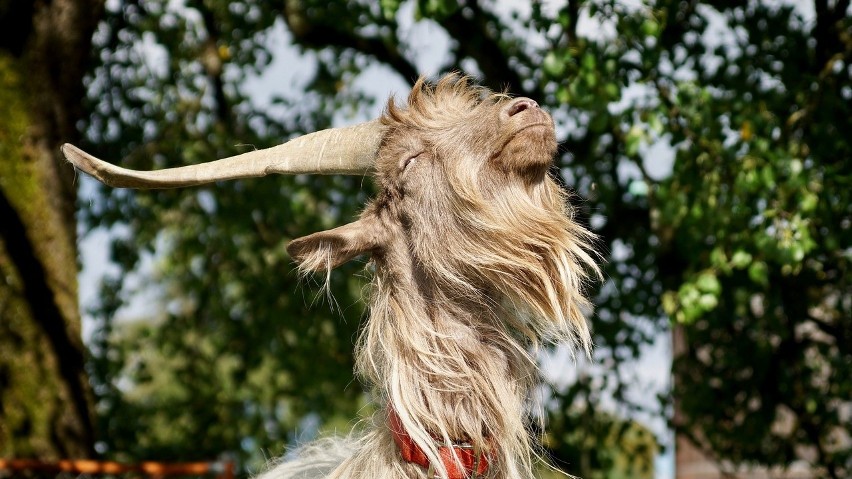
(477, 262)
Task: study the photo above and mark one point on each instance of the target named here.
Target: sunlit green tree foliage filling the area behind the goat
(707, 139)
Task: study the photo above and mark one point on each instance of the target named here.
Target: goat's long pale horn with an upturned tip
(349, 150)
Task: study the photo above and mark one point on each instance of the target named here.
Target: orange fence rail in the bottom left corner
(222, 469)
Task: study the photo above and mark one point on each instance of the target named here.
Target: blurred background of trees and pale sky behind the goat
(707, 144)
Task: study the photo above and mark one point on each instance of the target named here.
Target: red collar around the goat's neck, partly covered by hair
(460, 459)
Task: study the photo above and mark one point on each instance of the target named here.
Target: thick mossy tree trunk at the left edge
(45, 401)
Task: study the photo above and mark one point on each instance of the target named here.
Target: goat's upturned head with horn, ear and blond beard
(466, 204)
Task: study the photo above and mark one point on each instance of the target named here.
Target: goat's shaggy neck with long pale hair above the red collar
(446, 364)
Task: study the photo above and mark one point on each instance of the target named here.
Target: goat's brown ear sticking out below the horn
(326, 250)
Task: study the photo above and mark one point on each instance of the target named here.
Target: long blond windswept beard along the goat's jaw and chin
(517, 251)
